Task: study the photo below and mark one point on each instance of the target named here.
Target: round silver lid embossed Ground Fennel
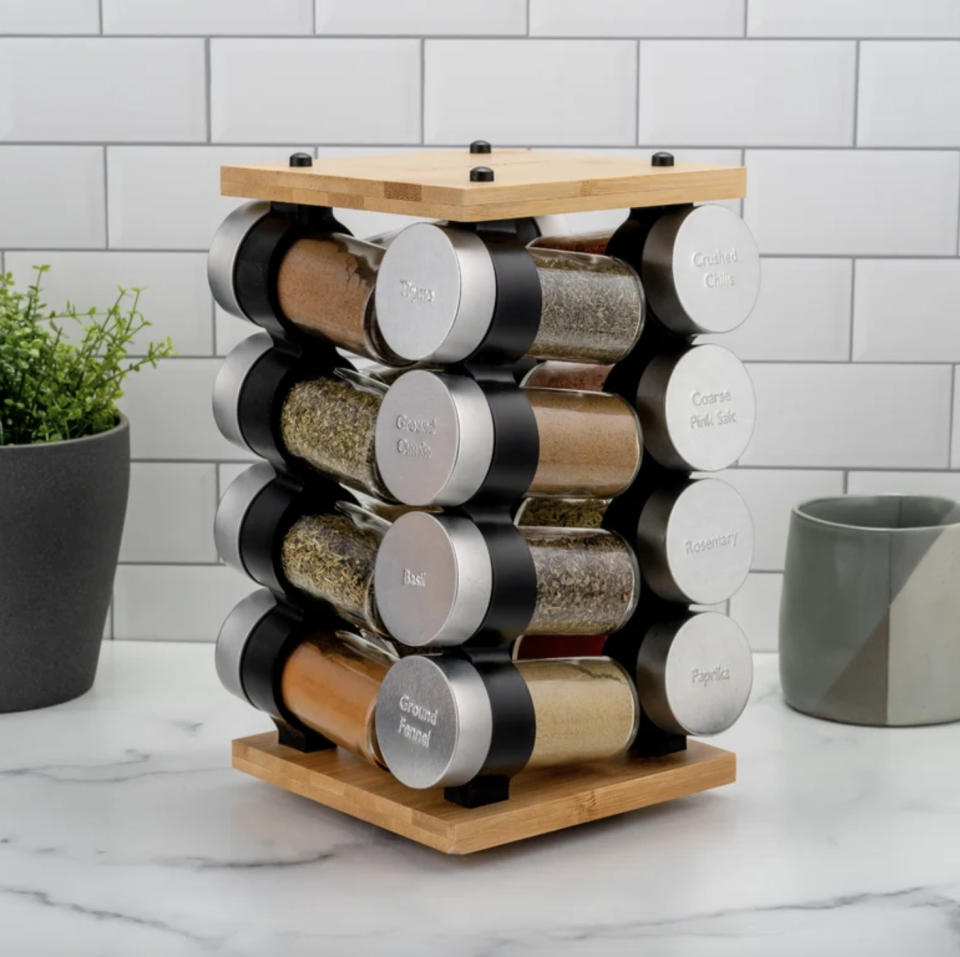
(434, 722)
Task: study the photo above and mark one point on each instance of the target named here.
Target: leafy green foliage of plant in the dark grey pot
(56, 386)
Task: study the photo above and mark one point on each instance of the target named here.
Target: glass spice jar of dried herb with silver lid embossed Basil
(435, 580)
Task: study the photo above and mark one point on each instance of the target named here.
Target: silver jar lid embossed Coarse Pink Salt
(697, 409)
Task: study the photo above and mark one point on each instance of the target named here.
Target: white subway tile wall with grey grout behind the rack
(115, 116)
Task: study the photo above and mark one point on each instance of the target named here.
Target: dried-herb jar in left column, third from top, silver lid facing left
(295, 540)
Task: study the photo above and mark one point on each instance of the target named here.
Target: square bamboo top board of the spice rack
(436, 184)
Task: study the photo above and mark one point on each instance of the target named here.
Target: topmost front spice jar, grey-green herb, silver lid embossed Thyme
(437, 291)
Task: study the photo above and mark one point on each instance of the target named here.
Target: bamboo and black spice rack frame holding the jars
(494, 204)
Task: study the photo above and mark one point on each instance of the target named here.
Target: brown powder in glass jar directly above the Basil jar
(589, 443)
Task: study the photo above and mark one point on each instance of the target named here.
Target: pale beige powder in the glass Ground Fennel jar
(586, 709)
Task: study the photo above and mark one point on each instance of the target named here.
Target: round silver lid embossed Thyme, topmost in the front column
(435, 293)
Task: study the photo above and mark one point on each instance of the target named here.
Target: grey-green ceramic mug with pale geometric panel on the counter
(870, 613)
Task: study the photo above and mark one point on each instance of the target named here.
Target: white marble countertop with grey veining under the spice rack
(124, 831)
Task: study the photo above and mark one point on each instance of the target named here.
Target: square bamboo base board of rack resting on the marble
(540, 801)
